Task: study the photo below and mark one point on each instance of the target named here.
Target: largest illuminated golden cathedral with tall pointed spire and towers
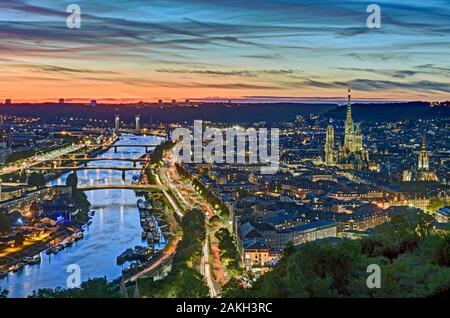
(350, 155)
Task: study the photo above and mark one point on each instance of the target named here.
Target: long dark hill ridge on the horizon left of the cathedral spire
(243, 113)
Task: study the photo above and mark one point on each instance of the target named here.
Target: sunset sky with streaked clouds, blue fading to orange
(147, 50)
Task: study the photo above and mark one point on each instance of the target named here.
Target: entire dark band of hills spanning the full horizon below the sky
(236, 113)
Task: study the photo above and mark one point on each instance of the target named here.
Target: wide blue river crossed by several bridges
(114, 228)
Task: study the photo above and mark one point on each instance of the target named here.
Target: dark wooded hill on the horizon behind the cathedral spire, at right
(389, 111)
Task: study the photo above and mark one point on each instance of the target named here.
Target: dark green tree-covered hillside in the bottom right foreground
(414, 262)
